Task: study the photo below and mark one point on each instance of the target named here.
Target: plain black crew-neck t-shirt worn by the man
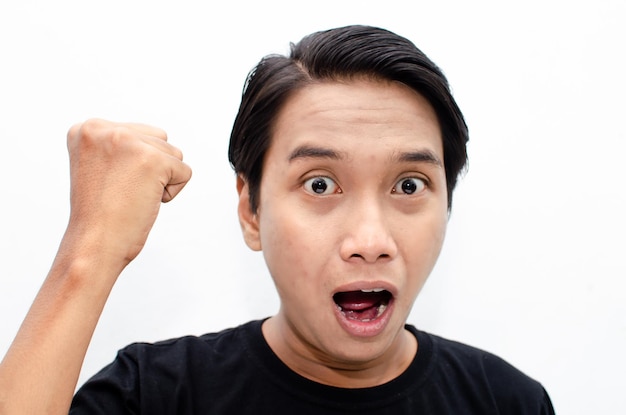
(236, 372)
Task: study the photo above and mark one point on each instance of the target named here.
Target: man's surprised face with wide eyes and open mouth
(351, 219)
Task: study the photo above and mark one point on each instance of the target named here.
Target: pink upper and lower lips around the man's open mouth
(366, 329)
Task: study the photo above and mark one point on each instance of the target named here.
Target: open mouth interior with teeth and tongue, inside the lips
(363, 305)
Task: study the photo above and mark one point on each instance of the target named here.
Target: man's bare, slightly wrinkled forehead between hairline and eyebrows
(360, 112)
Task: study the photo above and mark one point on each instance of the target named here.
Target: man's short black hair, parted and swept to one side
(335, 54)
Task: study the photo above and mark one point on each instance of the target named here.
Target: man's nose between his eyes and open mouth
(368, 236)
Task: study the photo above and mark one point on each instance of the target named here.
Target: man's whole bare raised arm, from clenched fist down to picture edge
(120, 174)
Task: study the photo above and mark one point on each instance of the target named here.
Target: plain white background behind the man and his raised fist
(533, 266)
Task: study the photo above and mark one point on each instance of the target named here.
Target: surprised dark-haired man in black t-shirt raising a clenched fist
(346, 153)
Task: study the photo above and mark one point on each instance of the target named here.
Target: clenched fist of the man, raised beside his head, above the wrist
(120, 173)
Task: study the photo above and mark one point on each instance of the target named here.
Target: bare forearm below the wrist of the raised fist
(39, 372)
